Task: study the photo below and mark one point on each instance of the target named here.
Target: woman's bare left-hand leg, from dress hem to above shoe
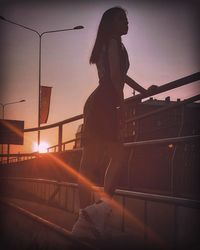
(91, 157)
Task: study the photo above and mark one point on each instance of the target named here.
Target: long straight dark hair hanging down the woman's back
(104, 32)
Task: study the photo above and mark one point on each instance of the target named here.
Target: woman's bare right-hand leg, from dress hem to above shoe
(113, 172)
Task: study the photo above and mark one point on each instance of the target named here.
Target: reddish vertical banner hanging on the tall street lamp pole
(45, 97)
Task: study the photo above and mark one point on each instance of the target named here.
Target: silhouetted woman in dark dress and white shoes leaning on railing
(104, 116)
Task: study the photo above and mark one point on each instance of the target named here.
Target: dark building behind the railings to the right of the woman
(181, 121)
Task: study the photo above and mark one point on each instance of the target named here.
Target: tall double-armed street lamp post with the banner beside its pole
(40, 35)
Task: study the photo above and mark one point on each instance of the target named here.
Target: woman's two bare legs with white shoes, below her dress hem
(99, 212)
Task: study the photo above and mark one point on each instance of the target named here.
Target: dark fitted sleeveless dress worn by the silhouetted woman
(101, 123)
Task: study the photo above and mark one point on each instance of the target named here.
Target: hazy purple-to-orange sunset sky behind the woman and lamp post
(162, 43)
